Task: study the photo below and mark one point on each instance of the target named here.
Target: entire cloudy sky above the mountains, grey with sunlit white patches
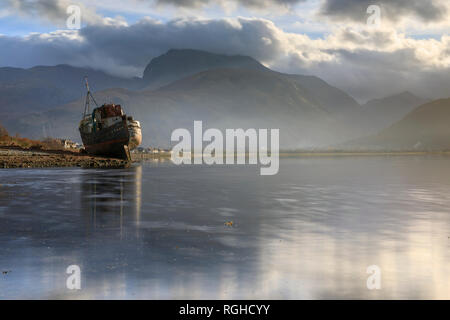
(366, 61)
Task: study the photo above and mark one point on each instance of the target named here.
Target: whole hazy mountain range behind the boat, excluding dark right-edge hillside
(184, 85)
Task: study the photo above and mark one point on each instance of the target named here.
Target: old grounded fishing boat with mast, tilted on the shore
(108, 131)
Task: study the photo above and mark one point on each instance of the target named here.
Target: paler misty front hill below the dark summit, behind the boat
(221, 98)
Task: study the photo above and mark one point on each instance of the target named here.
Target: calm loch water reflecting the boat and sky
(158, 231)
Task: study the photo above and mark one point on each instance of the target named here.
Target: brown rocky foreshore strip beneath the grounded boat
(25, 158)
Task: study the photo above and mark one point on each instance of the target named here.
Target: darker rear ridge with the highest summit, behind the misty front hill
(43, 87)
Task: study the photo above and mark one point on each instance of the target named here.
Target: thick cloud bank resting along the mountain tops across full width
(366, 62)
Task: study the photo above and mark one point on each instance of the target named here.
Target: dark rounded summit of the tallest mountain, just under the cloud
(179, 63)
